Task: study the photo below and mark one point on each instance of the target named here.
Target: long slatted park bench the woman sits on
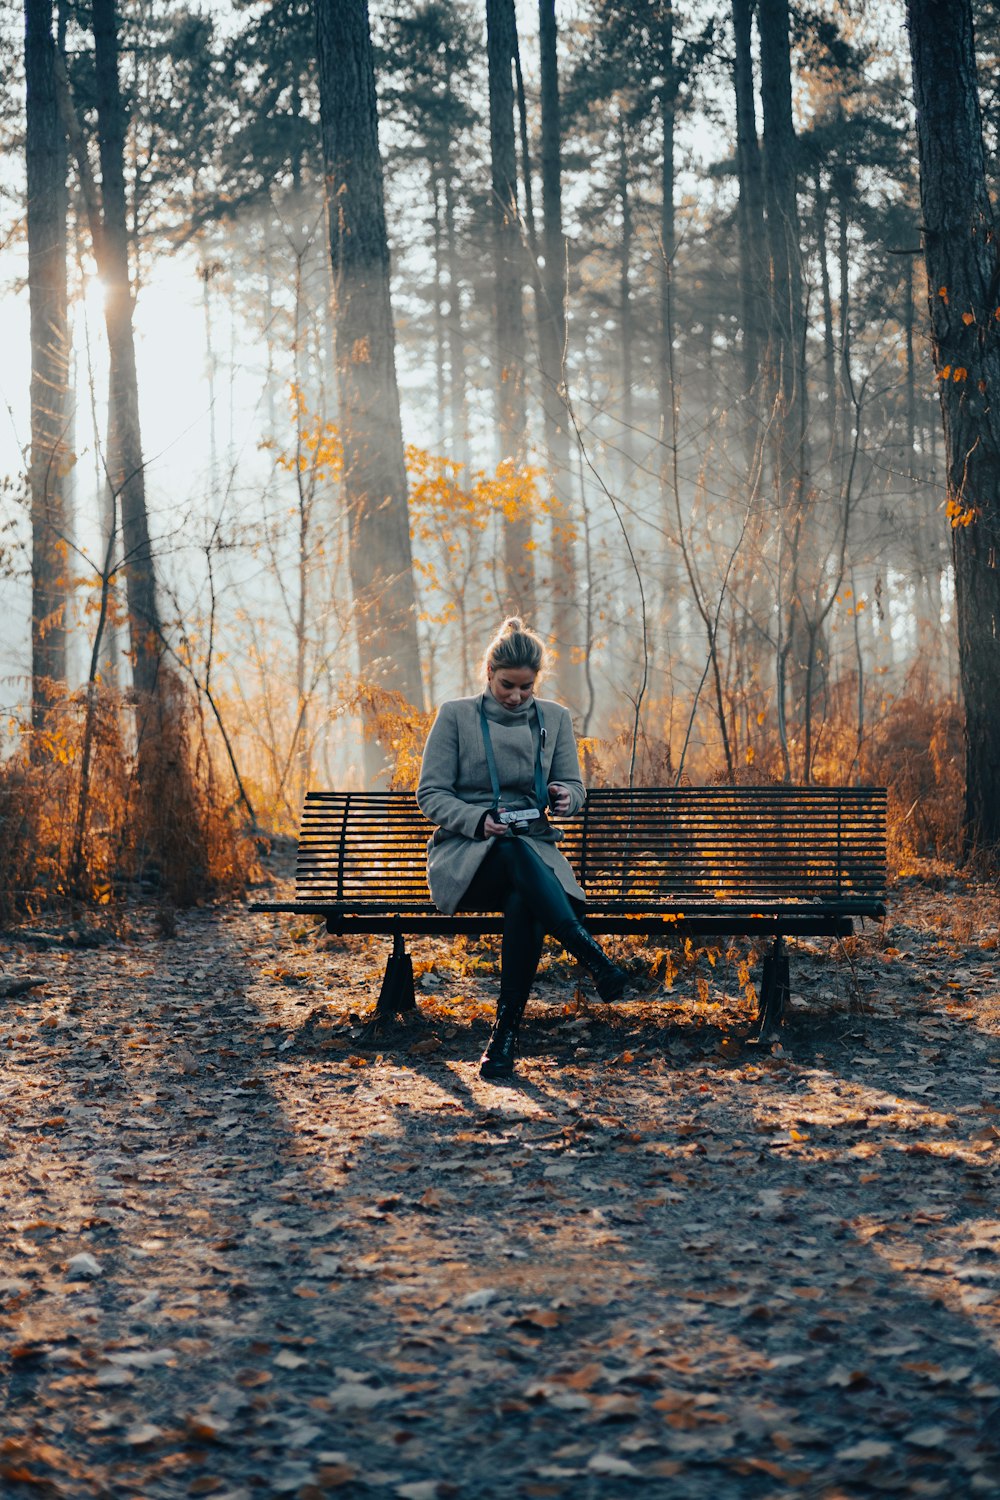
(692, 862)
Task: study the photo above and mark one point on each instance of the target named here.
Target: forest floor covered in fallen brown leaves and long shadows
(245, 1256)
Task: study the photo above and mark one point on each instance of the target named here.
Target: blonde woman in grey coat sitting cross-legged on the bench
(493, 769)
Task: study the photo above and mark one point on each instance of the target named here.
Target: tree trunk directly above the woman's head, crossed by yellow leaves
(512, 413)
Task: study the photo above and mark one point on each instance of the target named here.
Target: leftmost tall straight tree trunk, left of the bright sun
(47, 205)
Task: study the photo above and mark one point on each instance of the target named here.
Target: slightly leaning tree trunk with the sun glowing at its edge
(127, 473)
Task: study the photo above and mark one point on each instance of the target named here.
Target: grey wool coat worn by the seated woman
(455, 788)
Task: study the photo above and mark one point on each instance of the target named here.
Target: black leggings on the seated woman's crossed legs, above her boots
(513, 880)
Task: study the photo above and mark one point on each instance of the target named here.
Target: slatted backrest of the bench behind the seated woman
(629, 847)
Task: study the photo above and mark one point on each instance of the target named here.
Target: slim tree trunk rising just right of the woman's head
(552, 331)
